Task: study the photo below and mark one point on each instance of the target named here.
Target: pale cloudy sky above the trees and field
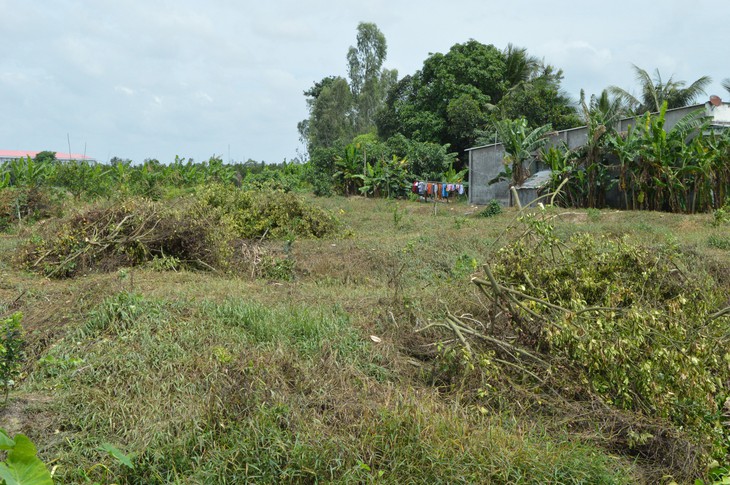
(158, 78)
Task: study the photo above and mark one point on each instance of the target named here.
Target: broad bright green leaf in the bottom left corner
(22, 466)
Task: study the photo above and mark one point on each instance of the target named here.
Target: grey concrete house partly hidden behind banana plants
(486, 162)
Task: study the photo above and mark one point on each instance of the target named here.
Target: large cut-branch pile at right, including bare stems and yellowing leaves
(641, 332)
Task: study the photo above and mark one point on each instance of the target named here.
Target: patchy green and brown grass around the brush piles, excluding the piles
(211, 378)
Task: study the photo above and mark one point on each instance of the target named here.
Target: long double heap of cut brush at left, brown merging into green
(220, 229)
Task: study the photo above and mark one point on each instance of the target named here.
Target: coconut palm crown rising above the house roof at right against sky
(654, 92)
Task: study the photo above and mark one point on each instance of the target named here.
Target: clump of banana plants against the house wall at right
(684, 169)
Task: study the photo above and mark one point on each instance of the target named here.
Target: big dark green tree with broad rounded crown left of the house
(456, 94)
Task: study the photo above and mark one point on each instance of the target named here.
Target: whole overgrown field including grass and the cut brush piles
(353, 340)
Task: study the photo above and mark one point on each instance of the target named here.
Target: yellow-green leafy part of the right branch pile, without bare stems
(641, 336)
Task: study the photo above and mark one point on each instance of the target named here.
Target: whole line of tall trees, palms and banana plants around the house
(373, 126)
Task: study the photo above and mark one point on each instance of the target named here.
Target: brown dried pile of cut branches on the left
(109, 236)
